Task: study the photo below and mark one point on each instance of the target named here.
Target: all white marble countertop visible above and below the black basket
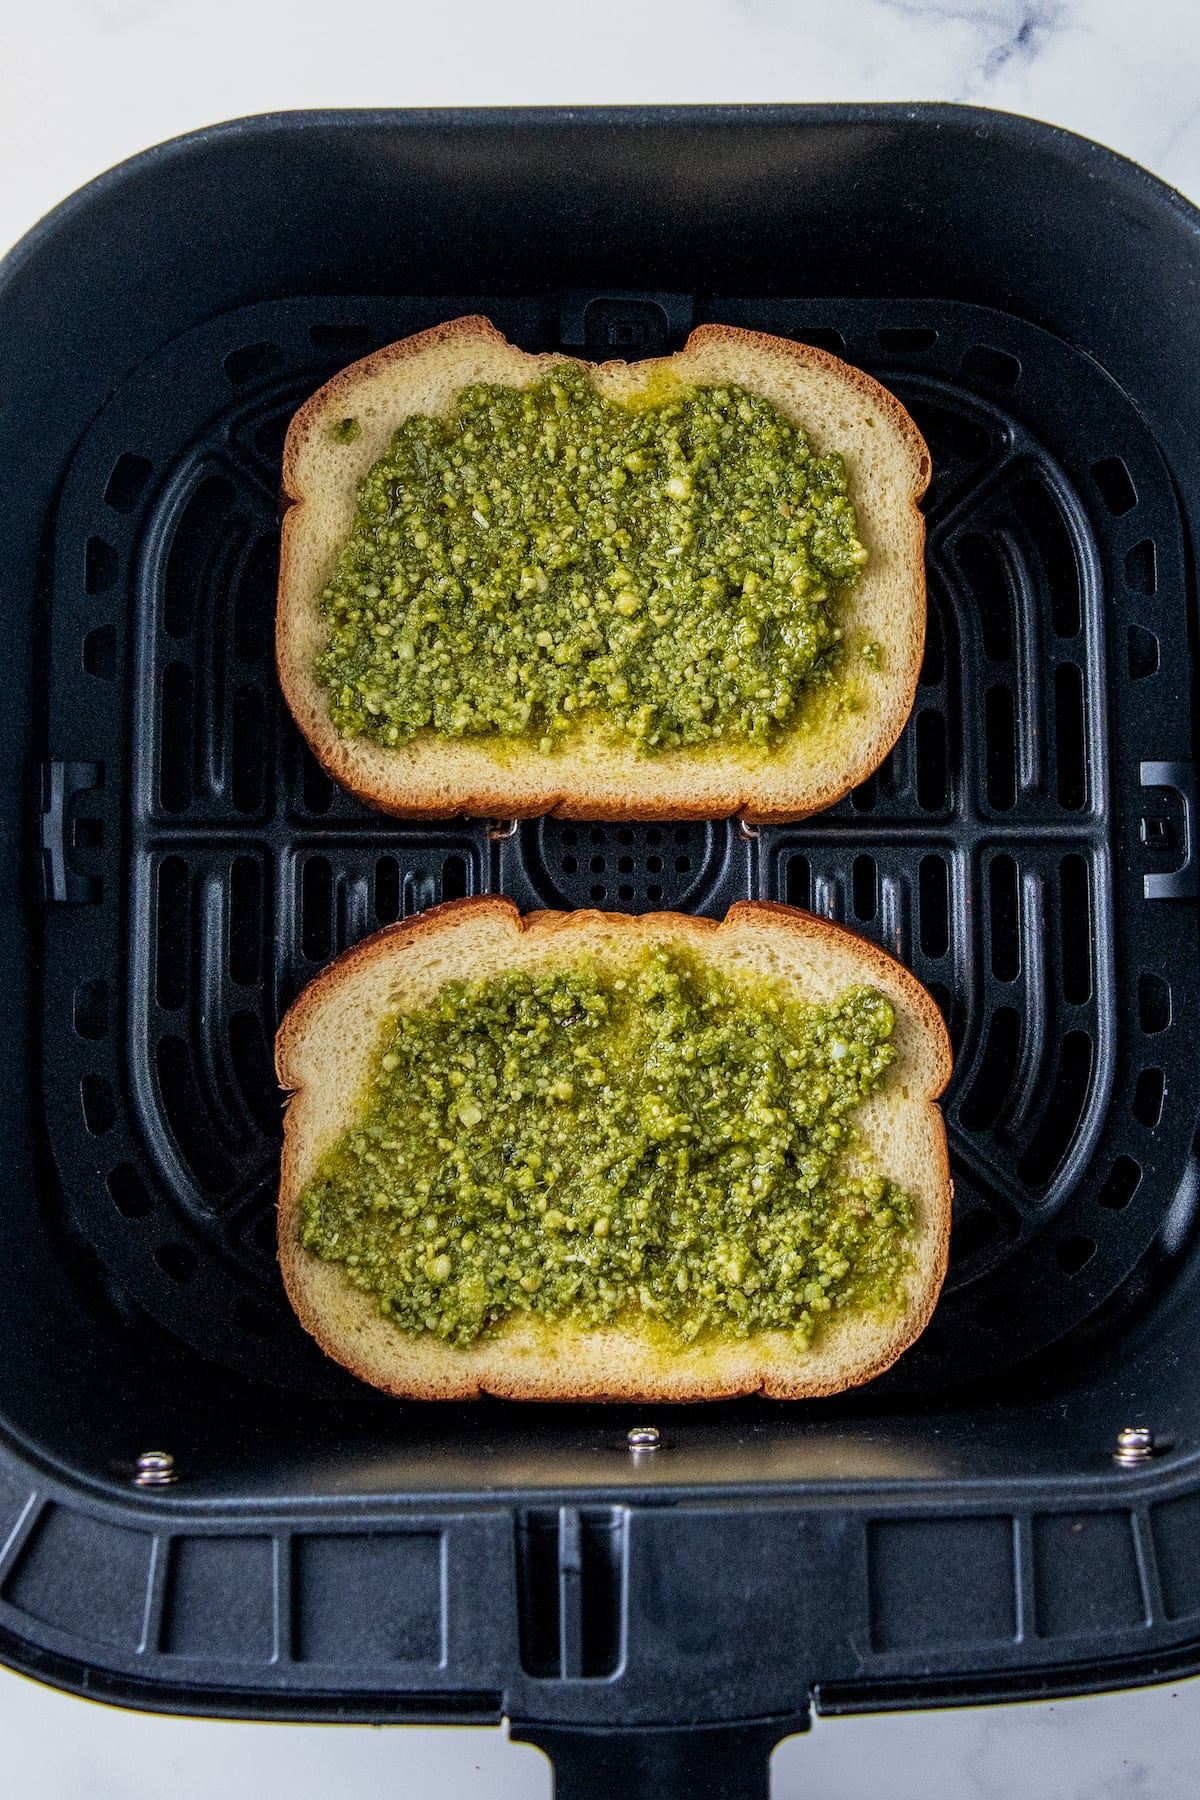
(85, 84)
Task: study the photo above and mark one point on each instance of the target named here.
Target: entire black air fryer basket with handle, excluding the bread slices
(179, 868)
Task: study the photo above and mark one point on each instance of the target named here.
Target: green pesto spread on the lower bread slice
(667, 1142)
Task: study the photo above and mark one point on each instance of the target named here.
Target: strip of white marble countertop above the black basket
(85, 84)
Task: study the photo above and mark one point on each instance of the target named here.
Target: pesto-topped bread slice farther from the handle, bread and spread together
(587, 604)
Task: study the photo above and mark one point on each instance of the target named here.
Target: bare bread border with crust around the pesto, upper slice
(598, 777)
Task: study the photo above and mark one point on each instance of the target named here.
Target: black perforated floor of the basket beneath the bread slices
(1019, 849)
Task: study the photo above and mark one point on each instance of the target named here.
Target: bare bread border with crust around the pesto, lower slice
(325, 1054)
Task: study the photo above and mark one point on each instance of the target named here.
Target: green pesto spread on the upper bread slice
(548, 557)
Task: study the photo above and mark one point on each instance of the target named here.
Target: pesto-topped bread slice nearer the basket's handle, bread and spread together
(596, 1156)
